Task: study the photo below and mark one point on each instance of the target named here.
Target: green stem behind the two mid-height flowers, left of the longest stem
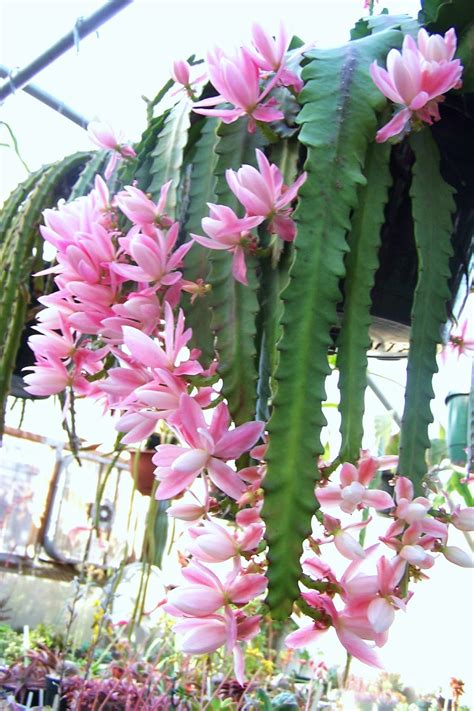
(234, 305)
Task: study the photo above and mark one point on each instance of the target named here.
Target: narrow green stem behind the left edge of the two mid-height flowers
(196, 263)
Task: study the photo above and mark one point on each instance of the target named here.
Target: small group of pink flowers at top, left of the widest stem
(246, 78)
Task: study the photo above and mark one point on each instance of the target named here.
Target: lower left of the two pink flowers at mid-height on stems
(228, 232)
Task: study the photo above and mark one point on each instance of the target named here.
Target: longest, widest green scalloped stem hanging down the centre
(338, 120)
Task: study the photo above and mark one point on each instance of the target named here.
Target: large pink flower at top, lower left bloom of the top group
(237, 79)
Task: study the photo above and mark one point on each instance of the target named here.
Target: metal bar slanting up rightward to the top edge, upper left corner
(82, 28)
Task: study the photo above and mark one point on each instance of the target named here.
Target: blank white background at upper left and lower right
(131, 57)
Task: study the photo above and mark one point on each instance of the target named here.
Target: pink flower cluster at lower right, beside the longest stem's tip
(370, 601)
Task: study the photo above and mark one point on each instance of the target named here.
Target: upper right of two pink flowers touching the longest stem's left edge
(262, 192)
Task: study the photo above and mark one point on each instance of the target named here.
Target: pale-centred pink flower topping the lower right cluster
(352, 493)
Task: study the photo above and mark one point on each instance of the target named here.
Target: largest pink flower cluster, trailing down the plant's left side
(113, 331)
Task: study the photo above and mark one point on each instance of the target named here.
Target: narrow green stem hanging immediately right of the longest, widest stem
(361, 264)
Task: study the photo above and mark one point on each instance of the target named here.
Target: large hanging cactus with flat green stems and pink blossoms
(206, 293)
